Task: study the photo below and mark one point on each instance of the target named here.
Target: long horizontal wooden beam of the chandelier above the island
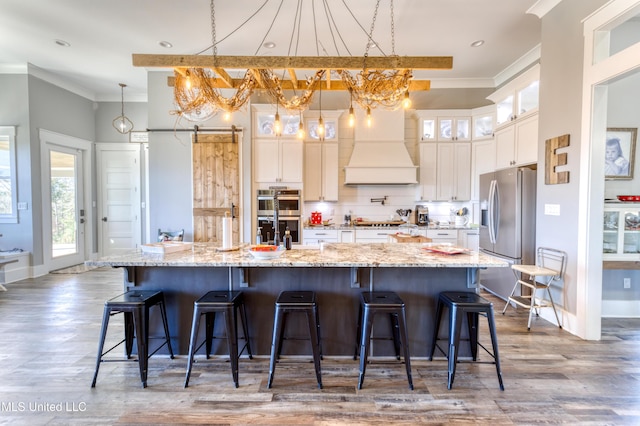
(295, 62)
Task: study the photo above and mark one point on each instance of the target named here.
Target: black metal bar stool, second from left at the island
(226, 303)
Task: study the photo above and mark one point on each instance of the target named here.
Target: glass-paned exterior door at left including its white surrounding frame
(65, 185)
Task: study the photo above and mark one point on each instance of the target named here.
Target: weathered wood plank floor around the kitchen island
(48, 340)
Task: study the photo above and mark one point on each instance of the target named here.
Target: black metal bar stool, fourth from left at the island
(381, 302)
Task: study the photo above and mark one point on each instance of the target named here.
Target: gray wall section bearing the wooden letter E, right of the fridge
(560, 113)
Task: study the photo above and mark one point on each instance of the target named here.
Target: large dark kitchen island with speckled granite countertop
(337, 272)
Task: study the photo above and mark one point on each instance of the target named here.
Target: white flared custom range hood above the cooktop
(379, 155)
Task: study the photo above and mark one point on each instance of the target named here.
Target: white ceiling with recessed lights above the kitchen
(103, 35)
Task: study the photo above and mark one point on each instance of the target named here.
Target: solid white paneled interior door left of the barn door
(119, 210)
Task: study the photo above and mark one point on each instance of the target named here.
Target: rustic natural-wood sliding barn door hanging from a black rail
(215, 186)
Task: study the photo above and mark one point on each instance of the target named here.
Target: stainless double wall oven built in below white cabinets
(289, 213)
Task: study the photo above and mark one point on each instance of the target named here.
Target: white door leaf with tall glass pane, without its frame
(64, 211)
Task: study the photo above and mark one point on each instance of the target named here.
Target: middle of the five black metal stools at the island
(296, 302)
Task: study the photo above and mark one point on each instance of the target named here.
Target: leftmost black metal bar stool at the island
(135, 305)
